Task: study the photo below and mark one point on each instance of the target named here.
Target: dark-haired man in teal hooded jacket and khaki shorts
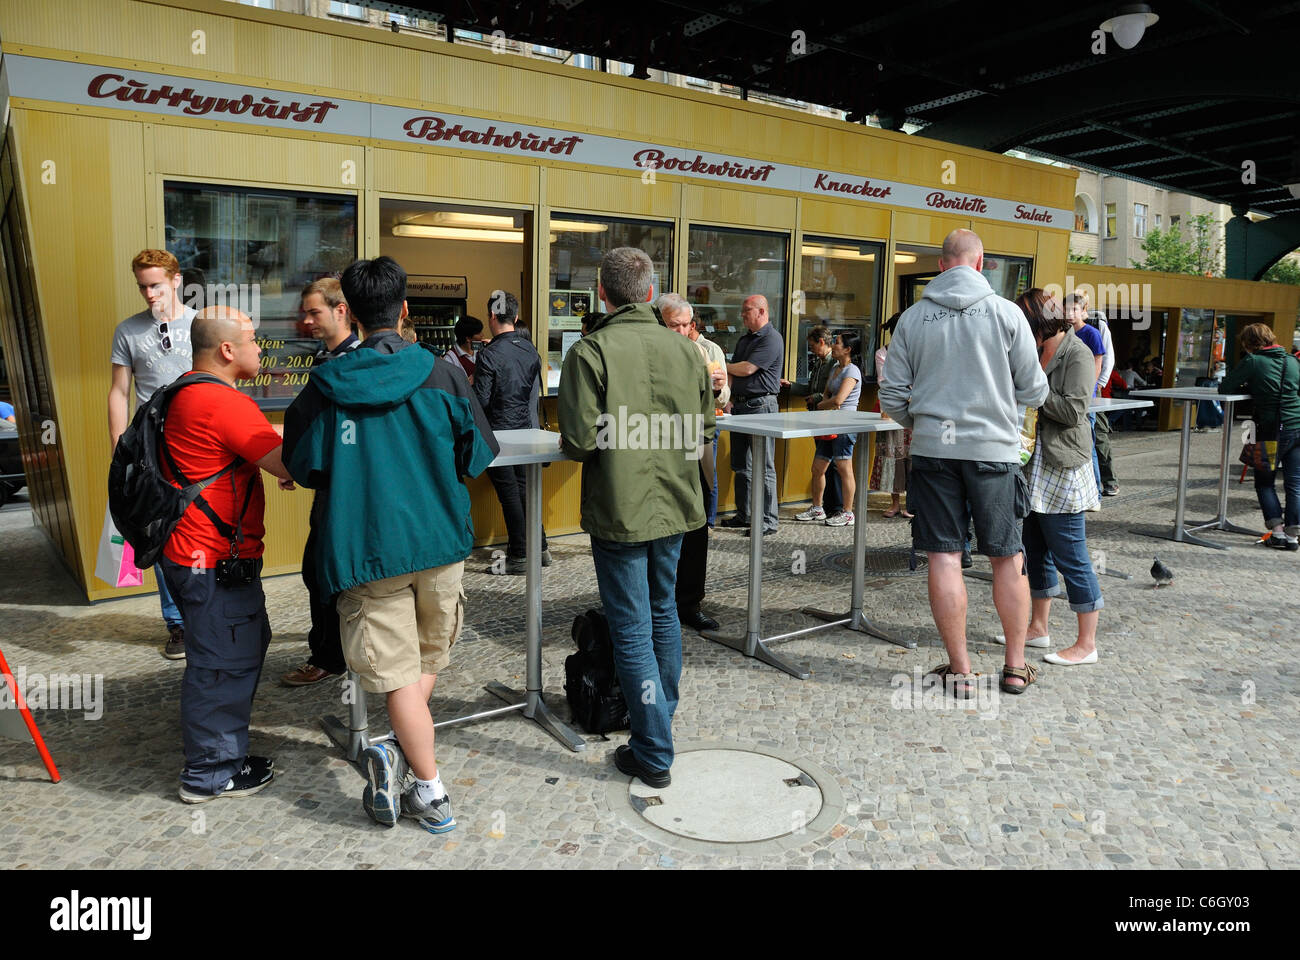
(387, 434)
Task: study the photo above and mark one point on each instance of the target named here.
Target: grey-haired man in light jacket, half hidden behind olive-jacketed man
(694, 561)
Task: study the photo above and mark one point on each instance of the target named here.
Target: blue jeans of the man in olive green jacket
(638, 586)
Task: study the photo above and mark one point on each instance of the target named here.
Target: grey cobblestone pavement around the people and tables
(1178, 750)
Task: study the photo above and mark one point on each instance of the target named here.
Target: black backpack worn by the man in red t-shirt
(146, 507)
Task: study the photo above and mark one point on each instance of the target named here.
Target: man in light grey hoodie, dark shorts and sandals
(961, 364)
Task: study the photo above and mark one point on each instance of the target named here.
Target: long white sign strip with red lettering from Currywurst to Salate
(133, 90)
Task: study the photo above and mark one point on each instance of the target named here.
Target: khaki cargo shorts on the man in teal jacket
(397, 629)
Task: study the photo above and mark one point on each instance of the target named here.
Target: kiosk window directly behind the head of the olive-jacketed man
(578, 245)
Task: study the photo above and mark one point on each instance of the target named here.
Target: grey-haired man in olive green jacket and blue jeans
(636, 409)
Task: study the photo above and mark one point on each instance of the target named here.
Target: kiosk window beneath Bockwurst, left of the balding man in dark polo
(729, 266)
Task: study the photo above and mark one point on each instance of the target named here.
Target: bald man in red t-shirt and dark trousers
(214, 560)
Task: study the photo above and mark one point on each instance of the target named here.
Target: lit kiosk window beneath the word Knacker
(840, 282)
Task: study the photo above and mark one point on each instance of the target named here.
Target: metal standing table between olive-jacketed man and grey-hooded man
(760, 427)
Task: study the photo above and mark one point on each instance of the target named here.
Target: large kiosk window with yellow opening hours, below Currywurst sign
(255, 250)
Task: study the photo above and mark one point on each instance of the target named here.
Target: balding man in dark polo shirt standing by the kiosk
(756, 371)
